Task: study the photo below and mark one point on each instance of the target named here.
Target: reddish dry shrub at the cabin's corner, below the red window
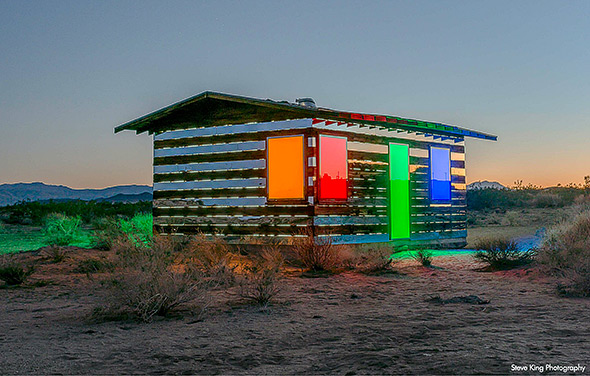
(316, 253)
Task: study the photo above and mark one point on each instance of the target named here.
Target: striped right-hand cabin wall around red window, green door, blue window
(364, 217)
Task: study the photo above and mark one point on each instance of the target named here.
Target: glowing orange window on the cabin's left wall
(285, 166)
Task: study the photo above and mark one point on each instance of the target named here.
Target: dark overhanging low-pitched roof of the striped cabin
(146, 122)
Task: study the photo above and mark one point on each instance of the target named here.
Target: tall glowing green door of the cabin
(399, 191)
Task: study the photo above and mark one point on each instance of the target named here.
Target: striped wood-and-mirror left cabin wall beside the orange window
(213, 180)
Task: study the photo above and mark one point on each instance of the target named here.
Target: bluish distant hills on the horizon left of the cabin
(13, 193)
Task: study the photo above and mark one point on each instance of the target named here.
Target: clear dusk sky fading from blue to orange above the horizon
(70, 71)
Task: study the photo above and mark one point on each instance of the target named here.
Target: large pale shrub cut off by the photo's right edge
(565, 251)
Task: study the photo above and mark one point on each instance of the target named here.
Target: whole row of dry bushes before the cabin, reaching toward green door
(188, 271)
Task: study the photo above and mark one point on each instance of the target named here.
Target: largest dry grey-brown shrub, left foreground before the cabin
(147, 282)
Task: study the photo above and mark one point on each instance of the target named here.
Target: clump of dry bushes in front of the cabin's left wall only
(174, 271)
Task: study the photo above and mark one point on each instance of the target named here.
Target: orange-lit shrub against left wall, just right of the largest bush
(211, 256)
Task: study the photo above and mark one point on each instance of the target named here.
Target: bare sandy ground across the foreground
(344, 324)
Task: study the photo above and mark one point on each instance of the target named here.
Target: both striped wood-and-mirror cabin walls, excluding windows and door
(213, 180)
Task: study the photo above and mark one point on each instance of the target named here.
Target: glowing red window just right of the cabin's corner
(333, 168)
